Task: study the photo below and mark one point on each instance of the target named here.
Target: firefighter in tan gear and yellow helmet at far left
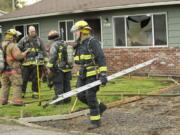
(11, 75)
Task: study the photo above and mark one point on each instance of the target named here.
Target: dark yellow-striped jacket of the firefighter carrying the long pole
(89, 55)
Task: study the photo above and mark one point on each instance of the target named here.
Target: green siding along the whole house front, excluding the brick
(48, 23)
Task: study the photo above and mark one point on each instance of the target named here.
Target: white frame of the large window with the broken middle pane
(153, 35)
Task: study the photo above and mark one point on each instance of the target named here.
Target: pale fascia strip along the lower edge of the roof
(95, 9)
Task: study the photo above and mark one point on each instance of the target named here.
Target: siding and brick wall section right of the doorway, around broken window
(122, 58)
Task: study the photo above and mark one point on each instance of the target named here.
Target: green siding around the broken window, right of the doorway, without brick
(173, 22)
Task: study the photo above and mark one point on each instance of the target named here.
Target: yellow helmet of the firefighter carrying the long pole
(82, 26)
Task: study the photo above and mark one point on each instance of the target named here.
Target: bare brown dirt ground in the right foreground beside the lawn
(150, 116)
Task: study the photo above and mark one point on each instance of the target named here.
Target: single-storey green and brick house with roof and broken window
(131, 32)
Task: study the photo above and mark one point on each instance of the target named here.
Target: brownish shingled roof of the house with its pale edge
(60, 7)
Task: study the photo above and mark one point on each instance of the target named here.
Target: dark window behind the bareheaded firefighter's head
(24, 29)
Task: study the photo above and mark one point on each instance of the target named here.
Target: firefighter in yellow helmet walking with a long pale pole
(90, 57)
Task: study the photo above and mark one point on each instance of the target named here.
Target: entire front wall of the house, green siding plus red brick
(122, 58)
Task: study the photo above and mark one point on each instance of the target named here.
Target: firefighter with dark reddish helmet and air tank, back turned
(59, 66)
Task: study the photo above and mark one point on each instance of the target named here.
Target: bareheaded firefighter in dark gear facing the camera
(29, 65)
